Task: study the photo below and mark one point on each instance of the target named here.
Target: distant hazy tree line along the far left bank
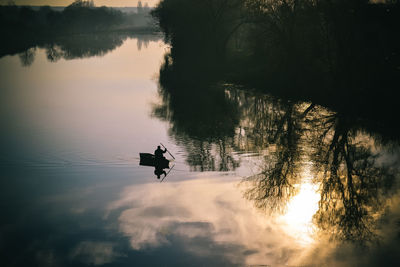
(23, 27)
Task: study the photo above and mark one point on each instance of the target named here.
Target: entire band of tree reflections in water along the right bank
(214, 123)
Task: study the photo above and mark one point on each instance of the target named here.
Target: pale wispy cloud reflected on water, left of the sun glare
(154, 215)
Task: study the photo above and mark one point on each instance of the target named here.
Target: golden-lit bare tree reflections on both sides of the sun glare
(353, 184)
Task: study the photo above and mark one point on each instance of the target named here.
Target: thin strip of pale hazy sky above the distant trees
(67, 2)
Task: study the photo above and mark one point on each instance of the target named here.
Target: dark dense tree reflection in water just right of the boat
(203, 119)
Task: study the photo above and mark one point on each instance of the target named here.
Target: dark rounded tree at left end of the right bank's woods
(208, 25)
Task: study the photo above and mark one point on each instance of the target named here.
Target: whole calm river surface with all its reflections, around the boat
(256, 180)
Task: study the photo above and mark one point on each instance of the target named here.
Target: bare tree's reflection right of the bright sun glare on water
(353, 185)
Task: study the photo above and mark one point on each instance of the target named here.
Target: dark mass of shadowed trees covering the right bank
(340, 53)
